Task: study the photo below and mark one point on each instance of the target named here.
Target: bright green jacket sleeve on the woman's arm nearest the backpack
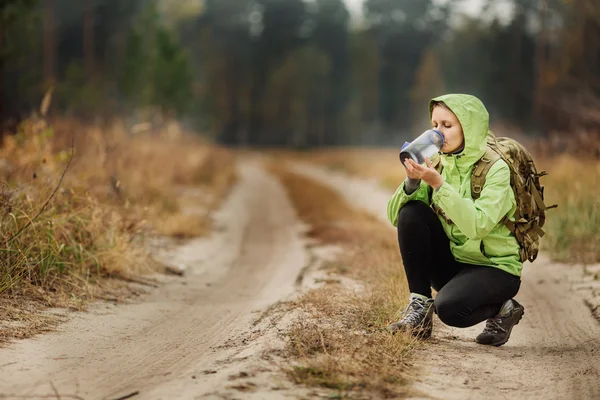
(477, 218)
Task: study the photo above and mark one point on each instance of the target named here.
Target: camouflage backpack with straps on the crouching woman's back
(530, 213)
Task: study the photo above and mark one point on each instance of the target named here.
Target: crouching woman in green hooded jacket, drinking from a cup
(472, 260)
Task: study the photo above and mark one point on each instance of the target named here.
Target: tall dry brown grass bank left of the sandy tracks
(119, 190)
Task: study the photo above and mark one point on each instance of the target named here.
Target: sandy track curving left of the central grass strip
(179, 332)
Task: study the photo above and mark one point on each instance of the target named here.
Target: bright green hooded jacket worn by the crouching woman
(476, 235)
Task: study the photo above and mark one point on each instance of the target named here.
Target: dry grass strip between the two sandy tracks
(340, 341)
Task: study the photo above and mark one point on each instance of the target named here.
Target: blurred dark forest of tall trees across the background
(301, 73)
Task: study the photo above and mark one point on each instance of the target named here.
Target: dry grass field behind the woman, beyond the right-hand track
(573, 230)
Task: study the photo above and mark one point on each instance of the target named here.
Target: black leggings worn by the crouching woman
(467, 294)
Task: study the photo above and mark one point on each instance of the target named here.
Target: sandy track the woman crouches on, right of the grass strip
(554, 353)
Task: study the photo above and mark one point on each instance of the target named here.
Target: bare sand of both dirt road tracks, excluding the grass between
(210, 333)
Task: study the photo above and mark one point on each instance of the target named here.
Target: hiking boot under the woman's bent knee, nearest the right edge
(497, 329)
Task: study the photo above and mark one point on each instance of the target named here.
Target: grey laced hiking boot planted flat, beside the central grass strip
(417, 317)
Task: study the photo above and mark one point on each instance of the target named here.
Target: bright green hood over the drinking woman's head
(474, 118)
